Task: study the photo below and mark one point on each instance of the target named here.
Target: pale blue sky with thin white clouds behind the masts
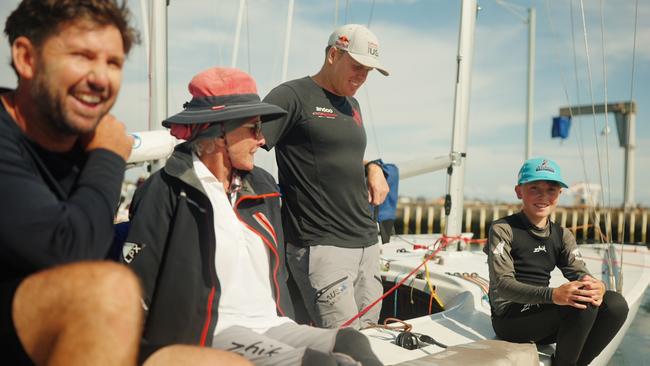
(409, 114)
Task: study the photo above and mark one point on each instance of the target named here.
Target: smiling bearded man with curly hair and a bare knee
(62, 160)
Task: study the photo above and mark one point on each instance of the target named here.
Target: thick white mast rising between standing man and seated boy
(456, 171)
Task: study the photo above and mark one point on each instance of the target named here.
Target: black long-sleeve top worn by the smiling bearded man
(55, 207)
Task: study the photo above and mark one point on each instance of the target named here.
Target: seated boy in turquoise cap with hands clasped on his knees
(580, 316)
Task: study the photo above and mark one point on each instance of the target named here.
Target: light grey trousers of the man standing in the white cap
(337, 283)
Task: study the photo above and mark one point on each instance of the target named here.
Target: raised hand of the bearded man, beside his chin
(110, 134)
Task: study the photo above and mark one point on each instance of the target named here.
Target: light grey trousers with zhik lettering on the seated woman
(288, 344)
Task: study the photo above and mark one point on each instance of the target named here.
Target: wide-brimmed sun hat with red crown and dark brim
(220, 95)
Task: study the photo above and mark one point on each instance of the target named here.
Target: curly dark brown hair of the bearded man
(40, 19)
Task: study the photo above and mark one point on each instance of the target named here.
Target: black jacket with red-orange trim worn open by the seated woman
(171, 246)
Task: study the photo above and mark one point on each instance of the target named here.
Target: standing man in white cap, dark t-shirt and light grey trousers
(332, 248)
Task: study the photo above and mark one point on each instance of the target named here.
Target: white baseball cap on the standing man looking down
(360, 43)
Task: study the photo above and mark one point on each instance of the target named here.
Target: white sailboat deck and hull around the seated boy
(466, 317)
